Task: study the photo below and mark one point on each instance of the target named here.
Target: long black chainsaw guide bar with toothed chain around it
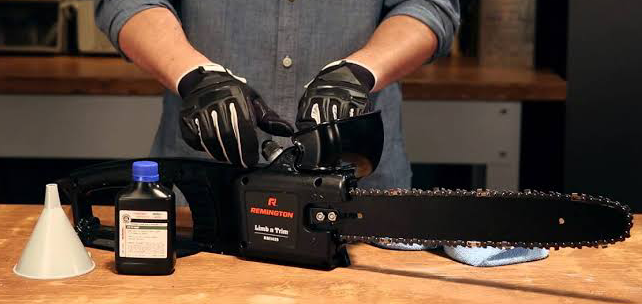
(572, 218)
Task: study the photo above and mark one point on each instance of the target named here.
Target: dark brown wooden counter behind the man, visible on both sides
(446, 79)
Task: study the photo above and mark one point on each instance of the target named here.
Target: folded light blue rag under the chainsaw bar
(480, 257)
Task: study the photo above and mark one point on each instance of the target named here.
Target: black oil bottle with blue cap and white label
(145, 224)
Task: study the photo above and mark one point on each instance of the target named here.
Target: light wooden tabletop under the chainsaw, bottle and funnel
(612, 275)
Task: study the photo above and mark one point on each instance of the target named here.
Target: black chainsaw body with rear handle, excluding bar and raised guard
(221, 198)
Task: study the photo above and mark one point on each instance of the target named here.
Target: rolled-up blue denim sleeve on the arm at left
(111, 15)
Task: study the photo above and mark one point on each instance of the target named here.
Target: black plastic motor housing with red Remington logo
(286, 194)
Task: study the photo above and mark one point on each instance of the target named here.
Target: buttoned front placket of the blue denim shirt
(286, 60)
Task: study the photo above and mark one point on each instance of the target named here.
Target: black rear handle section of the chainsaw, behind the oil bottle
(205, 185)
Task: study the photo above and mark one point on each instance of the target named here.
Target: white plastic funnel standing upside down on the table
(54, 250)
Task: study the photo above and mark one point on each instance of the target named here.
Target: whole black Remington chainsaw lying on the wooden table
(305, 206)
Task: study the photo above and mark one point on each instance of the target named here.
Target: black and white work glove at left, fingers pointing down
(220, 114)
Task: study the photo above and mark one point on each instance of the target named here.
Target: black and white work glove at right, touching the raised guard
(339, 91)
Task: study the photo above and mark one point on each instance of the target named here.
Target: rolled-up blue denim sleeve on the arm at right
(442, 16)
